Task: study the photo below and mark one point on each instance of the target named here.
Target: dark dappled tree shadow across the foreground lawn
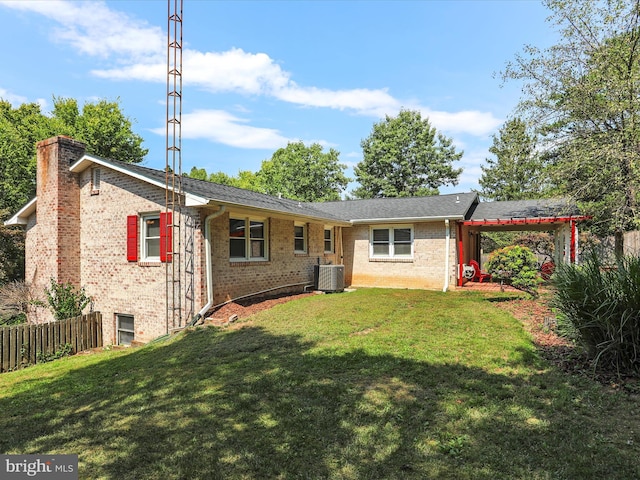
(250, 404)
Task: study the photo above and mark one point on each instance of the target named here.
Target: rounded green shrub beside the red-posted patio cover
(517, 266)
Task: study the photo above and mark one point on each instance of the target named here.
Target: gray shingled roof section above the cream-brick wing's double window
(434, 207)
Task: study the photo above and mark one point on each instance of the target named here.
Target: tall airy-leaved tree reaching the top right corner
(584, 92)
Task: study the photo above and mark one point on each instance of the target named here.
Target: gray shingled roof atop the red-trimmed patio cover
(542, 208)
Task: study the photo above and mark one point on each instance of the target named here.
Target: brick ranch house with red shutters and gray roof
(102, 224)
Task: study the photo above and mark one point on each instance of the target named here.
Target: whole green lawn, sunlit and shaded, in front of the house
(372, 384)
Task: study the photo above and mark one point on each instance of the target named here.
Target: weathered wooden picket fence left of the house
(28, 344)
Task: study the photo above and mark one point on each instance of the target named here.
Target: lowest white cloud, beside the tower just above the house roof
(222, 127)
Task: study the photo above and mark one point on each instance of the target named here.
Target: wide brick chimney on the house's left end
(57, 247)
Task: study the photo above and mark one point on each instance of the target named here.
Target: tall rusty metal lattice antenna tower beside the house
(174, 195)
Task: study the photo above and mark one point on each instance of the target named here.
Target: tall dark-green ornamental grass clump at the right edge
(599, 306)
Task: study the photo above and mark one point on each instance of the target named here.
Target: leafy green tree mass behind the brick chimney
(102, 126)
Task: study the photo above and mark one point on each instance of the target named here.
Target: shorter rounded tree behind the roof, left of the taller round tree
(304, 173)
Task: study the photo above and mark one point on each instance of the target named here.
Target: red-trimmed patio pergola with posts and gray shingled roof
(559, 216)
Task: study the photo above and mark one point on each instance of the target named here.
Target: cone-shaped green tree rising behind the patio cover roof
(517, 172)
